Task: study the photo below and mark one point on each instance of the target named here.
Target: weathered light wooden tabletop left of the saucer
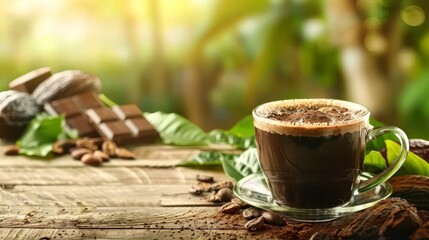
(144, 198)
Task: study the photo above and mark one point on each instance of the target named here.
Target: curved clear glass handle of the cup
(392, 168)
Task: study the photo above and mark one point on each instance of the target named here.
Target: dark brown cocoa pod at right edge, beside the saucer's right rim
(413, 188)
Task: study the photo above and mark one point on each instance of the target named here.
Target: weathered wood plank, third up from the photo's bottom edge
(102, 196)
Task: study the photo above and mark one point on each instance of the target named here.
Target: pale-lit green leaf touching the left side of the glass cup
(246, 164)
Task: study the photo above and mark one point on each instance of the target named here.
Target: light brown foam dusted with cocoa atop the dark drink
(310, 117)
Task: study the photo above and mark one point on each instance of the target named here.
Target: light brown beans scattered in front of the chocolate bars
(90, 151)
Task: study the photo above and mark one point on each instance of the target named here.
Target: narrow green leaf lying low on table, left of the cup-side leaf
(211, 158)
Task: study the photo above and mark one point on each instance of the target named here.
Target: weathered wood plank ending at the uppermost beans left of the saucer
(102, 176)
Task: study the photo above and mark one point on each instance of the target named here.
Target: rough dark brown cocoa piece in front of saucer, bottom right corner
(393, 218)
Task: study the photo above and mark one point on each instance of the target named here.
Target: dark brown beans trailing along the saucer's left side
(222, 193)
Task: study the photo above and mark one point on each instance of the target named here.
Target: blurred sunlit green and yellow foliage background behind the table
(214, 60)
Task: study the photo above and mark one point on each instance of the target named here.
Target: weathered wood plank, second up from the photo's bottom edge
(117, 217)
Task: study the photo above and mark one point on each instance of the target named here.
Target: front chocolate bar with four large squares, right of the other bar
(123, 124)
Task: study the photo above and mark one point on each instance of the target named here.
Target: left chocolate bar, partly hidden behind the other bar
(73, 108)
